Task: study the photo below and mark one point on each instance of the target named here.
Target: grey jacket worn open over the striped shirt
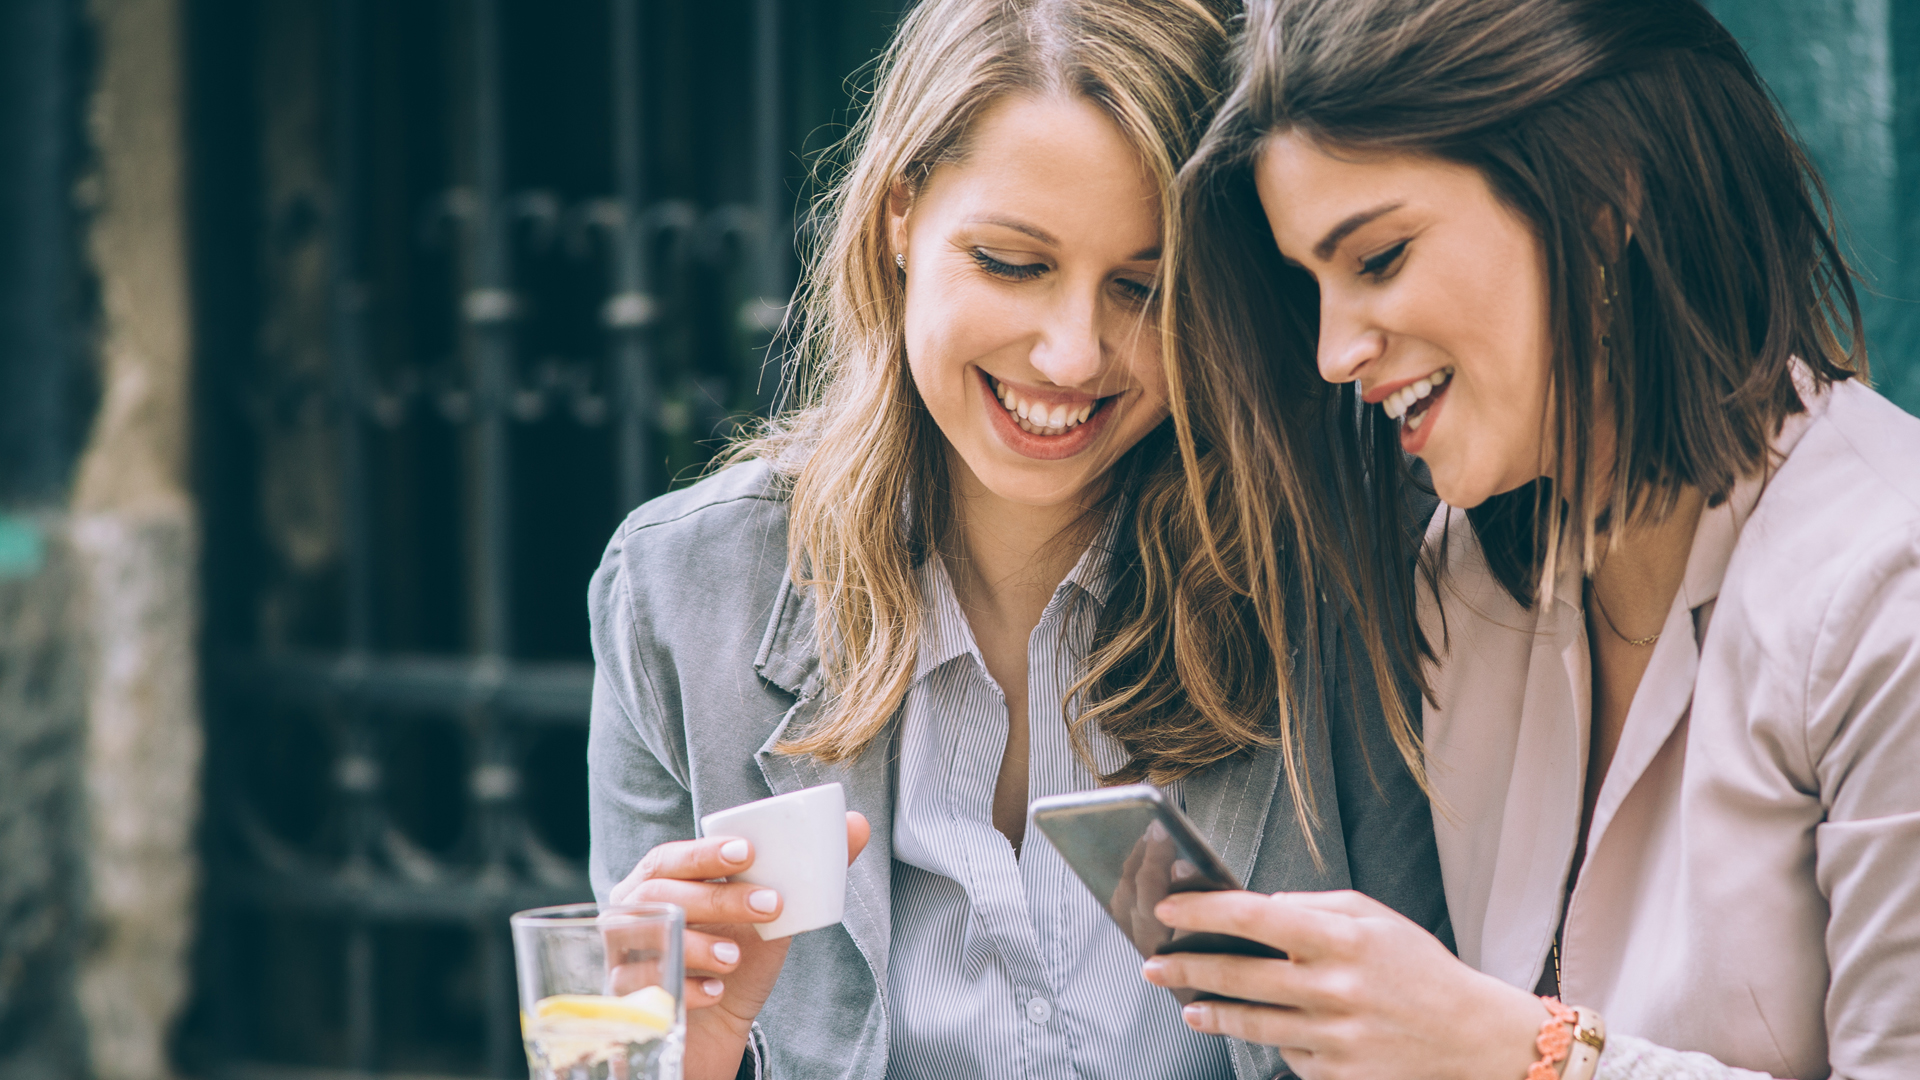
(706, 658)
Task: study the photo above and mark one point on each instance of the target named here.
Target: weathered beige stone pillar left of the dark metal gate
(135, 547)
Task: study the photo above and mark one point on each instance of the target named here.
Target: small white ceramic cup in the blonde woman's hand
(800, 850)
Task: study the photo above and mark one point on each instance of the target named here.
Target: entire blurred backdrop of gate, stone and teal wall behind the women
(335, 341)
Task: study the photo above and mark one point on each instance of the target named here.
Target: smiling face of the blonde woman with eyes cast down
(1030, 280)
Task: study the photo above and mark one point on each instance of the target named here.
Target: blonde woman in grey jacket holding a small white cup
(971, 572)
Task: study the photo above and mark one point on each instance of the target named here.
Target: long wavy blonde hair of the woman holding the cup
(1193, 650)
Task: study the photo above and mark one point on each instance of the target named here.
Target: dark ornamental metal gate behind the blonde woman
(475, 278)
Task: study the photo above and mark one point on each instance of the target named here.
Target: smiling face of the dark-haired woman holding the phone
(1433, 299)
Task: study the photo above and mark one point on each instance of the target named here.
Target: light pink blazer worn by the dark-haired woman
(1752, 885)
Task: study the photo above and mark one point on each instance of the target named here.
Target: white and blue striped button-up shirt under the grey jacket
(1007, 968)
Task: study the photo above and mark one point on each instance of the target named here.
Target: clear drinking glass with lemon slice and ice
(600, 991)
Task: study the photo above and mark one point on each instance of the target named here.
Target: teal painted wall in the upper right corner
(1848, 74)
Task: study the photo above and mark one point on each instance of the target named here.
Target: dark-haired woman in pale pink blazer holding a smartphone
(1570, 257)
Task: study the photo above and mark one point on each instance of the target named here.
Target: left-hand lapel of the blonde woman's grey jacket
(790, 660)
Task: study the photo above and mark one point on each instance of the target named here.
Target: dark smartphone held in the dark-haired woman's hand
(1134, 848)
